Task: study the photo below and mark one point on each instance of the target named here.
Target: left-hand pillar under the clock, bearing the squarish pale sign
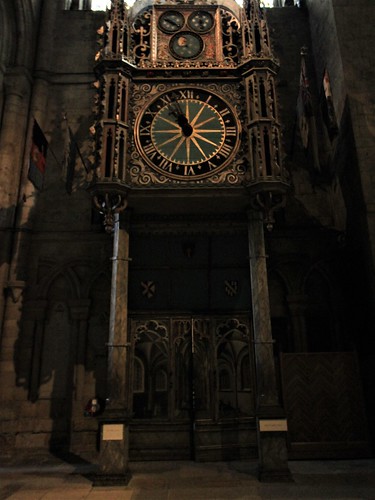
(114, 431)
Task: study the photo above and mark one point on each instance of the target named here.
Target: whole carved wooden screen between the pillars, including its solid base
(192, 384)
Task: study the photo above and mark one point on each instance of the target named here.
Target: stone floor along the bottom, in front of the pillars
(58, 480)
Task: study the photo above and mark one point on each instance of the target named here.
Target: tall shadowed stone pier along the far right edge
(343, 39)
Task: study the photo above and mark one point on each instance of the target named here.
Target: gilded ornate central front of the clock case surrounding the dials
(158, 71)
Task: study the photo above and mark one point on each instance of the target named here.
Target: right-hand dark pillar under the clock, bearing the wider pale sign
(273, 459)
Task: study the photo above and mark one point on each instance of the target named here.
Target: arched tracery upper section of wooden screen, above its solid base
(207, 359)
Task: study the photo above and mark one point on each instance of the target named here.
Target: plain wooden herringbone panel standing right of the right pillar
(323, 401)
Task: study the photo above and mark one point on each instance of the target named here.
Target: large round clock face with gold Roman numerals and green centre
(187, 133)
